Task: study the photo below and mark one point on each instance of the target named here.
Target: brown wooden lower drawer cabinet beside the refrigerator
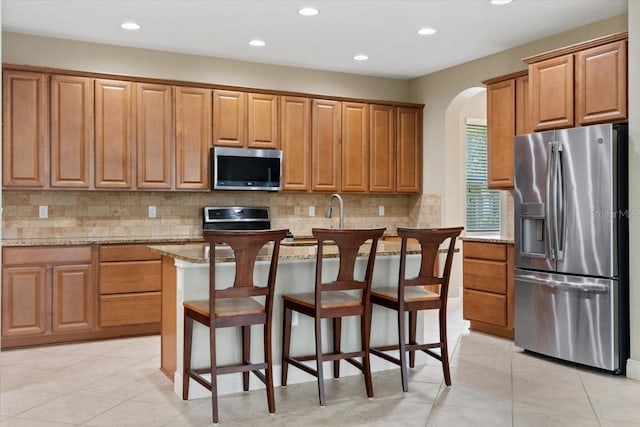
(488, 287)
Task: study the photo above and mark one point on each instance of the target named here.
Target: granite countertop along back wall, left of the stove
(54, 241)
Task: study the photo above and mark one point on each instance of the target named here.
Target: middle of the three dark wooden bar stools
(330, 301)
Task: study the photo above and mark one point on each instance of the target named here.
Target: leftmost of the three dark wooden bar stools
(234, 306)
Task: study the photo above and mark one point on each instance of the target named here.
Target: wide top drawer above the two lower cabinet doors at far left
(47, 255)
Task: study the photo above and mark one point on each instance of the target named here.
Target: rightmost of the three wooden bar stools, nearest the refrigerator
(410, 296)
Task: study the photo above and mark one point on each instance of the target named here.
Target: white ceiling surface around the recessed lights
(385, 30)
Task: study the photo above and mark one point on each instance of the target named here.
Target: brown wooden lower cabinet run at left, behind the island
(55, 294)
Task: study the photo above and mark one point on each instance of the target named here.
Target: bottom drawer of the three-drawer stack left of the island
(129, 309)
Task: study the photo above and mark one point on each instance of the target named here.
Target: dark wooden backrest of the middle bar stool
(348, 242)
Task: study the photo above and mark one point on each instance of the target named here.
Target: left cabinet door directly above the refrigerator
(551, 92)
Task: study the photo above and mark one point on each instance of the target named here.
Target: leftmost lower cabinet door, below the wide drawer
(24, 301)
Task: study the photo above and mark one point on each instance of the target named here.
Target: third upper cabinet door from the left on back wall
(113, 134)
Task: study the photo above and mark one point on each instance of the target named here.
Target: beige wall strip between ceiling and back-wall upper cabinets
(58, 53)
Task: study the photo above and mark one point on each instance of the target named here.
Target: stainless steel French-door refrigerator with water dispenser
(571, 244)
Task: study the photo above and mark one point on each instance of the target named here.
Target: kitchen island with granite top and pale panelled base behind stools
(185, 271)
